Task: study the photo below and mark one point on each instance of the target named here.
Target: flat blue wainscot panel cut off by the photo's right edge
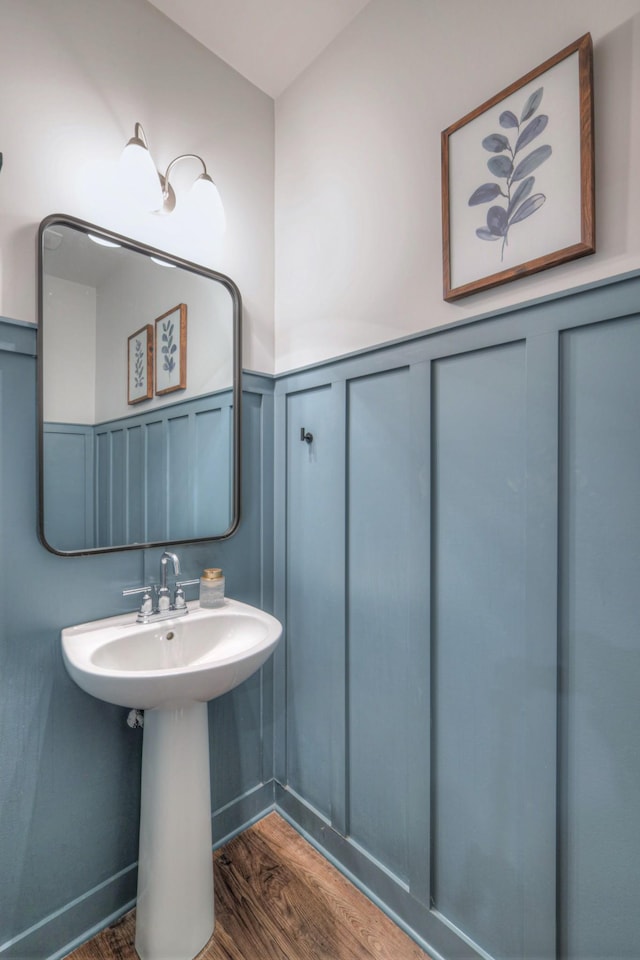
(600, 642)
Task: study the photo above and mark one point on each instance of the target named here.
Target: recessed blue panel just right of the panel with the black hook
(382, 577)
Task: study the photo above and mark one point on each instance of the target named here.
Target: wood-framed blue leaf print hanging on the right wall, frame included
(535, 206)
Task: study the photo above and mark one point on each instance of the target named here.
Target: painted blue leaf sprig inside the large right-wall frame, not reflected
(508, 165)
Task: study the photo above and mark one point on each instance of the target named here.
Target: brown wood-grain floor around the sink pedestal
(277, 898)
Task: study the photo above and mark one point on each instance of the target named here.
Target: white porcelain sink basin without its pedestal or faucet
(192, 658)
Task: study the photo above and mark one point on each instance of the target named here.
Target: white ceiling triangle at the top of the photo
(270, 42)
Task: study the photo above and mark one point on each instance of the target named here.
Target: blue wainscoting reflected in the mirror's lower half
(142, 478)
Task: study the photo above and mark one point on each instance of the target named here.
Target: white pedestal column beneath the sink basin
(174, 916)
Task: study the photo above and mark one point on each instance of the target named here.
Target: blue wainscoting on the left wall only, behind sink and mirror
(69, 764)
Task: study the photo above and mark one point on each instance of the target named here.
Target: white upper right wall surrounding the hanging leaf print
(358, 224)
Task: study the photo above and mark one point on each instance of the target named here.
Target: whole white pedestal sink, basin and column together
(171, 669)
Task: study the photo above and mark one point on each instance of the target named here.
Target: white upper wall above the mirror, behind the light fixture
(75, 76)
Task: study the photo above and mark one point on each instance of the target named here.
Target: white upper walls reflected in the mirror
(86, 335)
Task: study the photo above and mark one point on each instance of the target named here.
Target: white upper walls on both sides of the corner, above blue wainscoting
(357, 144)
